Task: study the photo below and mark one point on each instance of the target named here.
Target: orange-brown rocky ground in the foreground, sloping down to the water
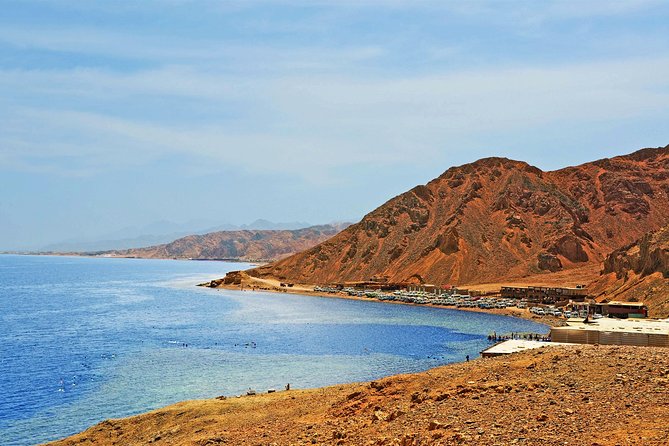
(586, 395)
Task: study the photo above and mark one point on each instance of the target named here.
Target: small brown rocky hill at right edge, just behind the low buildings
(638, 272)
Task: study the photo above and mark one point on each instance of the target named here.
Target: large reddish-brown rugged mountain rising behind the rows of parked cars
(495, 219)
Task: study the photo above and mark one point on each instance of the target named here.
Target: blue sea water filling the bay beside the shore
(84, 339)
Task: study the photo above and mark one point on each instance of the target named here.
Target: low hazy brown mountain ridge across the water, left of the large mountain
(248, 245)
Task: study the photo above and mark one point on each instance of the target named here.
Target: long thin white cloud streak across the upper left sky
(170, 50)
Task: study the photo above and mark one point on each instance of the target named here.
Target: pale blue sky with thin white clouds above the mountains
(120, 114)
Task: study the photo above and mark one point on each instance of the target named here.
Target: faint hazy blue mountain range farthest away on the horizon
(157, 233)
